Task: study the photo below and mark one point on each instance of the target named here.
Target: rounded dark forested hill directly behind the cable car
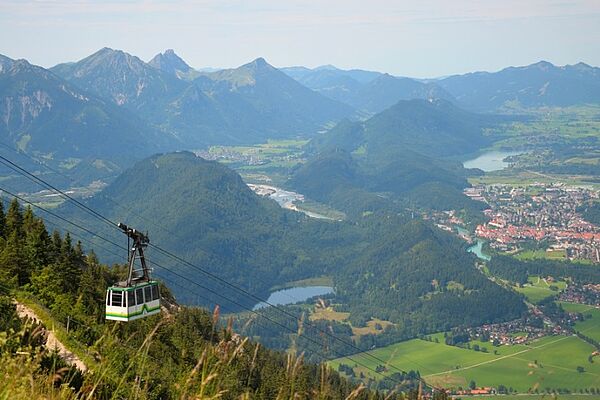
(208, 215)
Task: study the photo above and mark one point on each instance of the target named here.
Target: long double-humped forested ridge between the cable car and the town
(203, 212)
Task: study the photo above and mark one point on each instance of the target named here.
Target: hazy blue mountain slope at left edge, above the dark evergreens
(58, 123)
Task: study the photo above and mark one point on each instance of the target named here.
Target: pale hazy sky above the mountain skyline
(424, 38)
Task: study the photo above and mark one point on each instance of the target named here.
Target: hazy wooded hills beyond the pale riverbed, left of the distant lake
(397, 151)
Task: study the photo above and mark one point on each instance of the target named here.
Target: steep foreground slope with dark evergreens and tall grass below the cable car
(181, 353)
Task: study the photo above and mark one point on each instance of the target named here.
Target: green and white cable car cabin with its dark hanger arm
(138, 296)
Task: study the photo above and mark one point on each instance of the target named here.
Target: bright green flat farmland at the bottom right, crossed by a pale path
(550, 362)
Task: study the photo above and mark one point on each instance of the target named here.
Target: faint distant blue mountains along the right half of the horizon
(536, 85)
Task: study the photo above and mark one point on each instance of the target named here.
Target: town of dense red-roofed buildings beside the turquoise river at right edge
(543, 214)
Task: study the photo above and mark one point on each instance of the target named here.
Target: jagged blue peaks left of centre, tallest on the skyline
(243, 105)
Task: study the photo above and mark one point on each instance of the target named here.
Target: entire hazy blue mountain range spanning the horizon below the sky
(112, 108)
